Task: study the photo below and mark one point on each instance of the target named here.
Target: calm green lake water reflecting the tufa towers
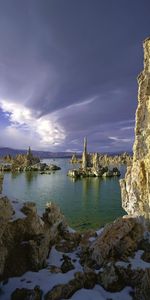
(86, 203)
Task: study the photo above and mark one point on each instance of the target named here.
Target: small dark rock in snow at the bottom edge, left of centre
(27, 294)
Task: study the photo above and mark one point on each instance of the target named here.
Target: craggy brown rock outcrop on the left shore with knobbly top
(26, 242)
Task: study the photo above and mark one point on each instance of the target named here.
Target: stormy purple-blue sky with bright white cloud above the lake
(68, 69)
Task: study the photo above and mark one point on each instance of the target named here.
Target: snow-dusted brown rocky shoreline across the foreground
(115, 259)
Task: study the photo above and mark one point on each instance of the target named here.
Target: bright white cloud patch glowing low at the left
(43, 131)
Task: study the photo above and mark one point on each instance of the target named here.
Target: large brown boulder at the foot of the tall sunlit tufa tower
(118, 240)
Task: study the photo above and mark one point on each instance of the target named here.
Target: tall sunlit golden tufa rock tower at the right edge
(135, 188)
